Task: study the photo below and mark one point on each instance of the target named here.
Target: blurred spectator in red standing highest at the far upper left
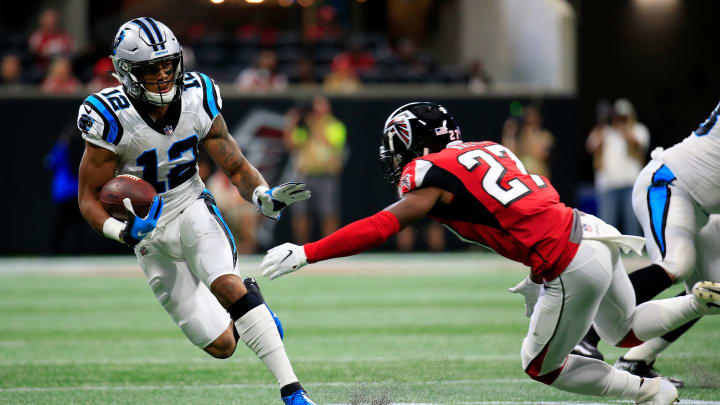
(49, 41)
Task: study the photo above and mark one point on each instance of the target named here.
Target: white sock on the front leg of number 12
(257, 329)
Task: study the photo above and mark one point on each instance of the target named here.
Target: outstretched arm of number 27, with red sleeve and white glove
(356, 237)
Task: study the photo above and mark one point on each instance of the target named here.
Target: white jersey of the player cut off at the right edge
(696, 163)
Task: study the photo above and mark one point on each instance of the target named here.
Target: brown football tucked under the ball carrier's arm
(123, 186)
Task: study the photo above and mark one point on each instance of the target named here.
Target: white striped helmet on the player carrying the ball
(141, 42)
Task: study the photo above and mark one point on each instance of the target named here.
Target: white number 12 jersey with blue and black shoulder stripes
(164, 157)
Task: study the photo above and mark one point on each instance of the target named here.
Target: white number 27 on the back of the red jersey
(497, 172)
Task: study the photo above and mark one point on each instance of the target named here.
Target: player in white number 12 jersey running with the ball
(151, 127)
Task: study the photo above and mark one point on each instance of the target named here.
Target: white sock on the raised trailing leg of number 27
(657, 317)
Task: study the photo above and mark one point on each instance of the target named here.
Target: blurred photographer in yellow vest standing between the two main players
(318, 140)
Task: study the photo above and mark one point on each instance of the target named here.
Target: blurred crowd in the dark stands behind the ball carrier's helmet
(255, 56)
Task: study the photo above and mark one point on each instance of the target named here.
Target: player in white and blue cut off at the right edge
(674, 198)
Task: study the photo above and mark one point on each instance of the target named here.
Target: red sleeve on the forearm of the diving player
(354, 238)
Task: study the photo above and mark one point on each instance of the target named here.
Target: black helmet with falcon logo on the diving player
(411, 131)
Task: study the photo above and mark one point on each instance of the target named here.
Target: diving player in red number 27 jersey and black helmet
(482, 192)
